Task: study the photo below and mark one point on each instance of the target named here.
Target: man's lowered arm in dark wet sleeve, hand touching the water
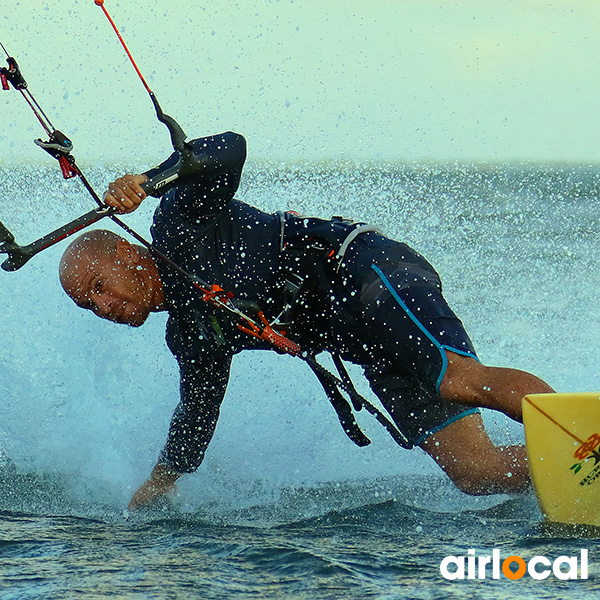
(203, 385)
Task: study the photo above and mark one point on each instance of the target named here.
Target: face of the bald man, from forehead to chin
(112, 289)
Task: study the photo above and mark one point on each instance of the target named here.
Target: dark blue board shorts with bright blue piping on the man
(411, 326)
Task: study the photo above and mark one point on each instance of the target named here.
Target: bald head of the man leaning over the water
(103, 272)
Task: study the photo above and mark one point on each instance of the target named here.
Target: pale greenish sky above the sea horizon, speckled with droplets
(312, 80)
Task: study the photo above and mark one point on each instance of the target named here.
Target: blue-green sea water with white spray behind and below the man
(285, 506)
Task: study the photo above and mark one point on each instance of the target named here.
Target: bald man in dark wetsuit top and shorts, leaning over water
(374, 301)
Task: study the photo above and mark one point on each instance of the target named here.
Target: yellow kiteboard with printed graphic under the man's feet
(562, 433)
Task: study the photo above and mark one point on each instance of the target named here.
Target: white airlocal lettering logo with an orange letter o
(513, 567)
